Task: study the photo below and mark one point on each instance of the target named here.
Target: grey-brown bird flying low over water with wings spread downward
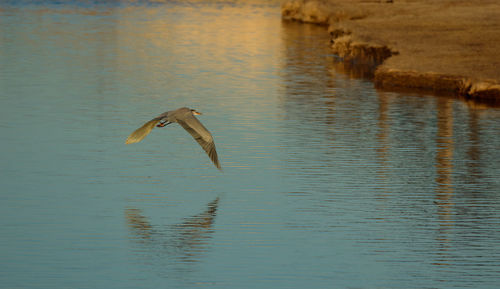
(185, 117)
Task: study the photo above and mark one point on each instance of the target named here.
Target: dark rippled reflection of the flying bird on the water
(184, 241)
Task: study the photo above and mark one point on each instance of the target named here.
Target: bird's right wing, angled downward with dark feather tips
(192, 125)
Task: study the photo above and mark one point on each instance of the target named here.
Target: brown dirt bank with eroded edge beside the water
(446, 46)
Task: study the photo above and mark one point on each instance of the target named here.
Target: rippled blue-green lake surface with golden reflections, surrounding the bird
(326, 182)
